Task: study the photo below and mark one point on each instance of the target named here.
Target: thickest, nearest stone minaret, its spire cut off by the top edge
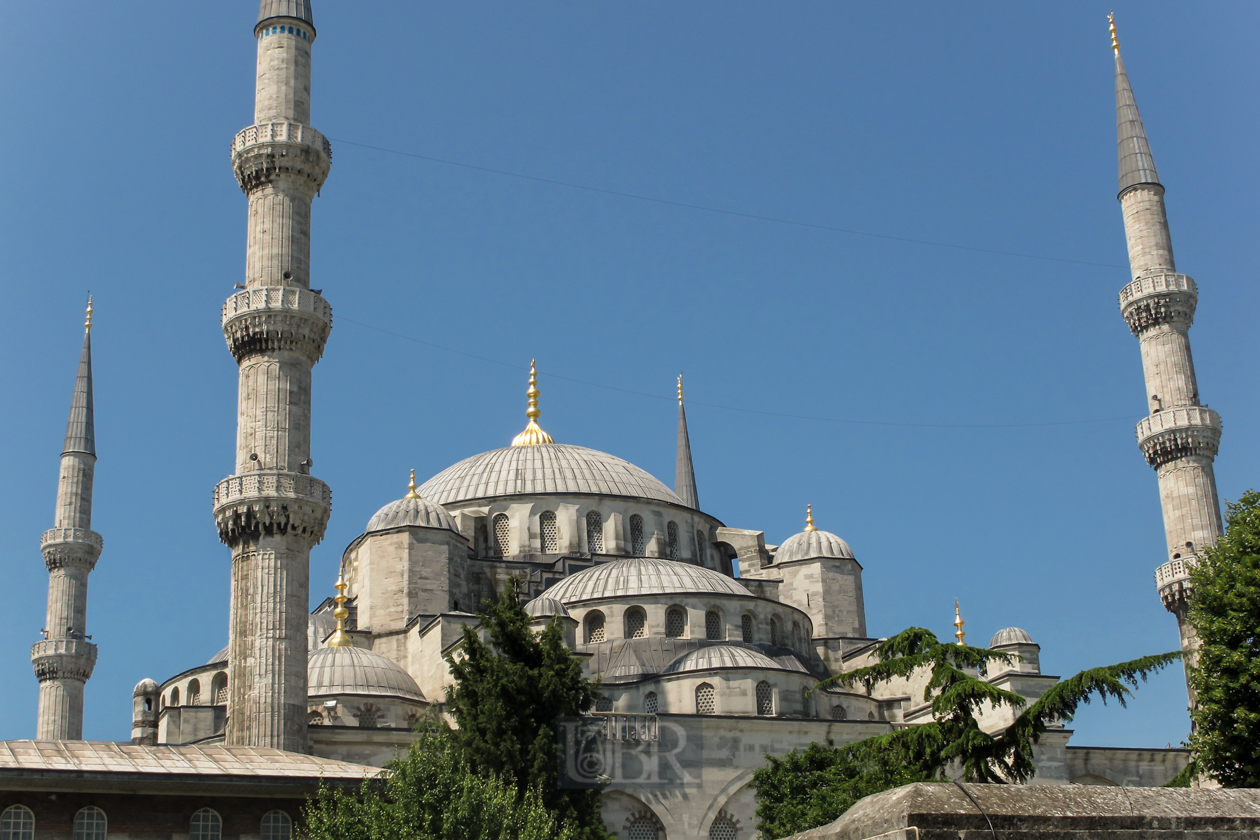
(273, 512)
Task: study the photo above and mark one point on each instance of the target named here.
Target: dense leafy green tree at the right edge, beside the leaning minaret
(1225, 611)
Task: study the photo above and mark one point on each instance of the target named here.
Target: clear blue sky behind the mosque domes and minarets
(990, 125)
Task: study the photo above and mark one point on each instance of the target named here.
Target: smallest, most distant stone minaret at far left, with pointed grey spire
(65, 661)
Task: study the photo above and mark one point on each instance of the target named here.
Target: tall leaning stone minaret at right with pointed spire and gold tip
(1181, 438)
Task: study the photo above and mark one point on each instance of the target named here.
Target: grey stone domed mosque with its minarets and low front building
(710, 643)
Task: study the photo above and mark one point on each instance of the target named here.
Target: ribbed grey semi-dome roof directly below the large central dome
(643, 576)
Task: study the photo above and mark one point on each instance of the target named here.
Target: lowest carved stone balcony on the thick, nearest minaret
(272, 503)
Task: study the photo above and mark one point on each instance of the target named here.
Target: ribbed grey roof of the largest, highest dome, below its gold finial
(544, 469)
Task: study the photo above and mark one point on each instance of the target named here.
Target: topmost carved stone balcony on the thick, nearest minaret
(266, 152)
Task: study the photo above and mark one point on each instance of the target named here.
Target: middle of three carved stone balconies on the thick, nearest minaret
(278, 319)
